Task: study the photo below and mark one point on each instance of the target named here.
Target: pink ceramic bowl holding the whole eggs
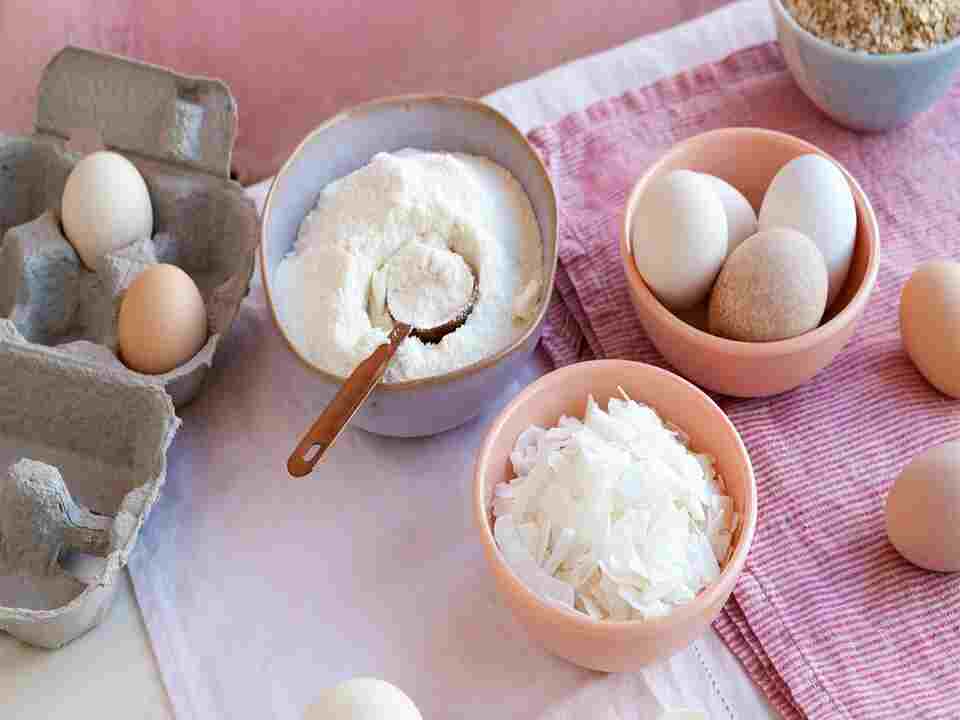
(748, 158)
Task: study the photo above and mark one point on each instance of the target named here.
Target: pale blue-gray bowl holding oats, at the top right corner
(862, 91)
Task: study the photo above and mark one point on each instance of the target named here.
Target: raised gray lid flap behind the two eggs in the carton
(138, 108)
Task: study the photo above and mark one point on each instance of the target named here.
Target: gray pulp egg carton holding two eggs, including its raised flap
(179, 132)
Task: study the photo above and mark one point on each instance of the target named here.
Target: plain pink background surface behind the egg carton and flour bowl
(292, 63)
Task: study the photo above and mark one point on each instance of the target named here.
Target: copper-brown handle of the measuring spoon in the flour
(325, 431)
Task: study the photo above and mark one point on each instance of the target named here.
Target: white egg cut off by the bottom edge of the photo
(363, 699)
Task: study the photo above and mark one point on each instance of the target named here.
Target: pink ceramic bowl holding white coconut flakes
(606, 645)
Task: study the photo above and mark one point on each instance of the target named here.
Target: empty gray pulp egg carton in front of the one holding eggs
(82, 460)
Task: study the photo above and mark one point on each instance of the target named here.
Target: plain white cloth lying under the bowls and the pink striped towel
(259, 590)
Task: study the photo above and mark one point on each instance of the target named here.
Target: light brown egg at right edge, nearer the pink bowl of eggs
(930, 323)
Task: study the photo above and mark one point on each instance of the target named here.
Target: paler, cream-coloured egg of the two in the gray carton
(105, 206)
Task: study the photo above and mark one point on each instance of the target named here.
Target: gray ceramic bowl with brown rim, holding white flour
(345, 143)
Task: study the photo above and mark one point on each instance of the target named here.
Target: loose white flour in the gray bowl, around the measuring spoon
(332, 287)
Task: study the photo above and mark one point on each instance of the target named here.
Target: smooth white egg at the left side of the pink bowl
(678, 236)
